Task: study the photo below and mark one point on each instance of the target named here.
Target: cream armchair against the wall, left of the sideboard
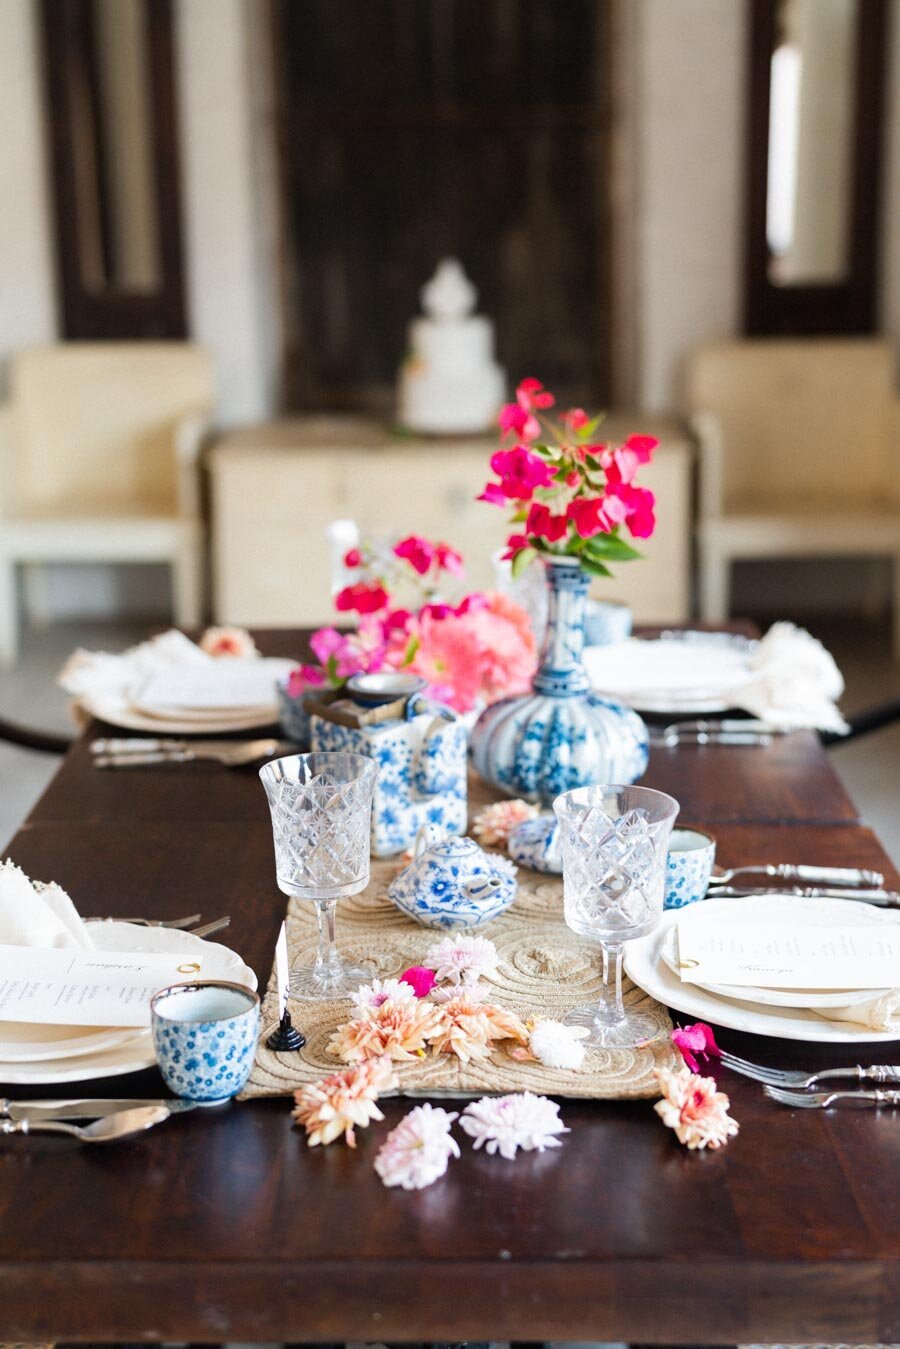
(102, 443)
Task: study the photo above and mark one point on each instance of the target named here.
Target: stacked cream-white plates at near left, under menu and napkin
(38, 1054)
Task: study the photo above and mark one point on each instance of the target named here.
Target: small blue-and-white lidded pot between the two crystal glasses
(453, 883)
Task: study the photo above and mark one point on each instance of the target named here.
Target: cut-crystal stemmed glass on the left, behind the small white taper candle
(322, 807)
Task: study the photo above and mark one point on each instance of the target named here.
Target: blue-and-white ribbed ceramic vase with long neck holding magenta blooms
(561, 736)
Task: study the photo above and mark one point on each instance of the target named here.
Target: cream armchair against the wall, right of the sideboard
(799, 444)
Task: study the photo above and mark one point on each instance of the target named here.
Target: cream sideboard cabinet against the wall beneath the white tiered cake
(276, 489)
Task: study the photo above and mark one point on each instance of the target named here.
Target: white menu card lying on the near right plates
(789, 957)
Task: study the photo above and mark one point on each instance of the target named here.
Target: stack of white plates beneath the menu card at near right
(786, 1014)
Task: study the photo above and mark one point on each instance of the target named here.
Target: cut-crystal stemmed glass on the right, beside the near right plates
(615, 844)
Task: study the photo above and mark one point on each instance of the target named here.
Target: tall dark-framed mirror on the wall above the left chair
(115, 171)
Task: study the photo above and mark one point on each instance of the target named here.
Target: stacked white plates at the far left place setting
(208, 698)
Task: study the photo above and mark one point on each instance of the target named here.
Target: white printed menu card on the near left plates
(87, 988)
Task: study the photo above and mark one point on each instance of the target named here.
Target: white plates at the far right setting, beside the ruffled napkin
(692, 672)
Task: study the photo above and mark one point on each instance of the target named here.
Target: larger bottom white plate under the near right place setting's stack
(647, 967)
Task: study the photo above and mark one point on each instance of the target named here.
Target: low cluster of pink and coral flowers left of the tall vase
(470, 654)
